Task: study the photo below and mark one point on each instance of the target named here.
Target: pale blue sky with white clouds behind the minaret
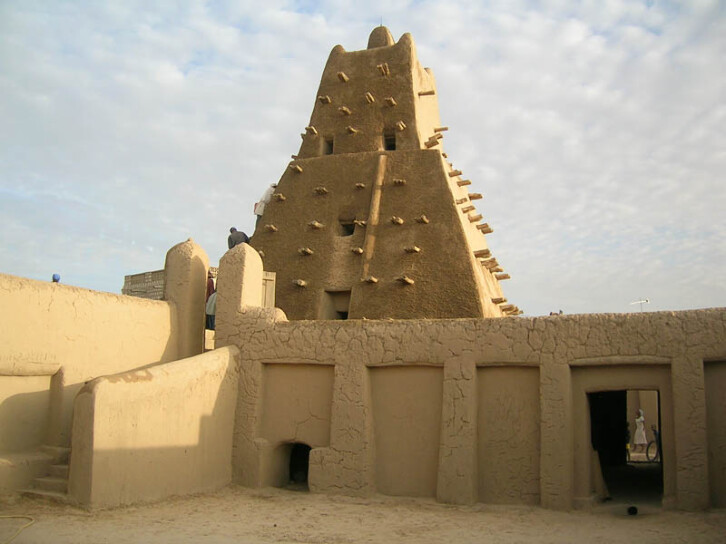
(595, 130)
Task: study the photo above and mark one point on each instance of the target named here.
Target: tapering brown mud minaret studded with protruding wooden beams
(369, 220)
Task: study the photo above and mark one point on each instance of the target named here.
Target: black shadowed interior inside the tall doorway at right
(611, 435)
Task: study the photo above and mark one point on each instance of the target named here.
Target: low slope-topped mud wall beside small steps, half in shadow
(150, 434)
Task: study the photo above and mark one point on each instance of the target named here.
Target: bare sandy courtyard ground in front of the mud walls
(242, 515)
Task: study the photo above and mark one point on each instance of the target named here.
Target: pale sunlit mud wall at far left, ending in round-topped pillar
(81, 334)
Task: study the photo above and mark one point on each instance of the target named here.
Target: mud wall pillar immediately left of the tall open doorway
(556, 456)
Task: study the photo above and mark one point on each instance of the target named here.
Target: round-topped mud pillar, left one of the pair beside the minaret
(186, 287)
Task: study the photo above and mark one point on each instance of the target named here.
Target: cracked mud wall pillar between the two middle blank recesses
(458, 475)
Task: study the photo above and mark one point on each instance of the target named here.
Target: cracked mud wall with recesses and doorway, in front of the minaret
(470, 410)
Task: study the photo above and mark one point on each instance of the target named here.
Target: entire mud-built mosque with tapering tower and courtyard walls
(383, 357)
